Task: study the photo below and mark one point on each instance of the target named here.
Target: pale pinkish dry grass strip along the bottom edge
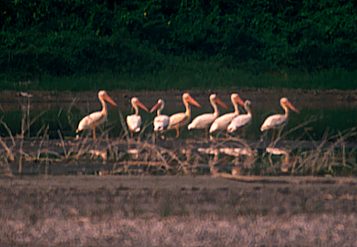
(302, 230)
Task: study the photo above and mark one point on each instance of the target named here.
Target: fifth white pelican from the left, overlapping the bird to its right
(205, 120)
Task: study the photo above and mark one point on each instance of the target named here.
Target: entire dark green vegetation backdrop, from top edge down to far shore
(84, 44)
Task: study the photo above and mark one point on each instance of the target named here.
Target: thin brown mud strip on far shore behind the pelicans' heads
(262, 98)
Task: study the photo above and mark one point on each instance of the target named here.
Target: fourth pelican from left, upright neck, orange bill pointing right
(182, 118)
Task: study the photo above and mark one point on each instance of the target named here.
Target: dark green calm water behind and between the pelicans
(314, 122)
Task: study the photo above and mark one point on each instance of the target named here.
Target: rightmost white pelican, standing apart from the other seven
(277, 120)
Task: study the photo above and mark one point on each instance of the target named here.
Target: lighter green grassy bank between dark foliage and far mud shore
(180, 73)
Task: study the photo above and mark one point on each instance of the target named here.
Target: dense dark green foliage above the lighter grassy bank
(66, 37)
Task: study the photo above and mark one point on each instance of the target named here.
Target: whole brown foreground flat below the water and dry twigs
(177, 211)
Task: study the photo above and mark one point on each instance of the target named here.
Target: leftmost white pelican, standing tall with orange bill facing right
(94, 119)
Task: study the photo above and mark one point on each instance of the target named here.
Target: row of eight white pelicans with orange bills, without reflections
(229, 122)
